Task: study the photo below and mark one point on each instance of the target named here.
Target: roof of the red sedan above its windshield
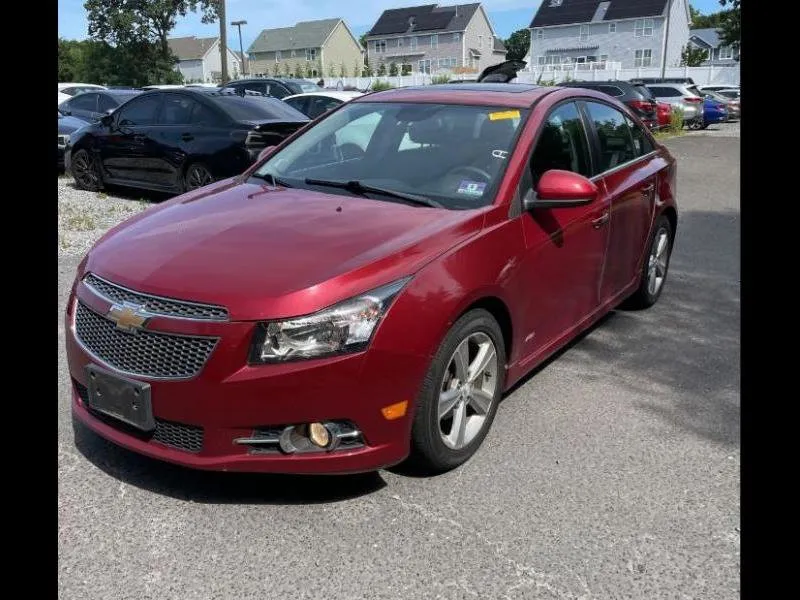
(516, 95)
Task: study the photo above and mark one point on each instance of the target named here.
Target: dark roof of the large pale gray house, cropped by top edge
(568, 12)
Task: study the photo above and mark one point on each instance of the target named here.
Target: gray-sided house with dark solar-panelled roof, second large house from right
(431, 38)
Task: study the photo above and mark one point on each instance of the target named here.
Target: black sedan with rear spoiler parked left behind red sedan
(179, 139)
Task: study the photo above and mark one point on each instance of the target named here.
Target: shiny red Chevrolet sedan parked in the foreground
(368, 290)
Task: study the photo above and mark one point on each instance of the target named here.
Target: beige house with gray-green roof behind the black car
(324, 48)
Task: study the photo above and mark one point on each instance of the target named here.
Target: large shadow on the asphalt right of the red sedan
(681, 357)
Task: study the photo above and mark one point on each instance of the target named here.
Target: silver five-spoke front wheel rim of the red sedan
(468, 390)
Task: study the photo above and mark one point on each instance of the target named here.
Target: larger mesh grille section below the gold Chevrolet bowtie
(145, 353)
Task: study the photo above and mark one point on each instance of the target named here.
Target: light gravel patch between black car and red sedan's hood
(85, 216)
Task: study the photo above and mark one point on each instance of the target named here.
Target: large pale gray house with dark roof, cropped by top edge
(632, 33)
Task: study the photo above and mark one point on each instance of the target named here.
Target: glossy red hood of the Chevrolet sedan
(270, 253)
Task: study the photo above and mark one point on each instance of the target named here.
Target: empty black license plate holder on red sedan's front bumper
(124, 399)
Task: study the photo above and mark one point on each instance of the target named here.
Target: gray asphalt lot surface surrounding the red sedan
(612, 472)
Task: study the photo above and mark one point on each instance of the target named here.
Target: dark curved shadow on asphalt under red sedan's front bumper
(209, 487)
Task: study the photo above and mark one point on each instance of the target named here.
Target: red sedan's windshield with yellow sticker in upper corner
(451, 155)
